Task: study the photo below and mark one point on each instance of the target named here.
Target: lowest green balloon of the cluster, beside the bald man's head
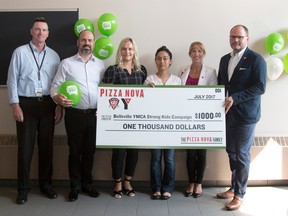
(104, 48)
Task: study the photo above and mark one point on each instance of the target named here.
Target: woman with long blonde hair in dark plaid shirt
(126, 71)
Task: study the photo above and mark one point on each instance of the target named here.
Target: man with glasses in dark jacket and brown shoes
(243, 72)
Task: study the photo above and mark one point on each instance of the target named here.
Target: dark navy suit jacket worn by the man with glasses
(246, 86)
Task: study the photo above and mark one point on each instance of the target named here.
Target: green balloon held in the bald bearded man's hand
(71, 90)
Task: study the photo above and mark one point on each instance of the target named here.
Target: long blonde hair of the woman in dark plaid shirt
(135, 60)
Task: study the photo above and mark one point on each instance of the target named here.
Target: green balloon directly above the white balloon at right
(274, 43)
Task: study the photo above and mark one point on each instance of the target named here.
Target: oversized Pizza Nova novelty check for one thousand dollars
(160, 117)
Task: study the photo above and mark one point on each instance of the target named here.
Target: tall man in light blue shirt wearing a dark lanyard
(30, 74)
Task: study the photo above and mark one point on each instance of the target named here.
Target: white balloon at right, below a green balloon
(275, 67)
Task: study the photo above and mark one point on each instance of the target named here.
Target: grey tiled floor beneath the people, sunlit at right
(259, 201)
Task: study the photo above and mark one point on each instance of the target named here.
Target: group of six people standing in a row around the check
(35, 73)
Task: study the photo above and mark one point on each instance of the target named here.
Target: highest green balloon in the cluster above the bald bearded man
(107, 24)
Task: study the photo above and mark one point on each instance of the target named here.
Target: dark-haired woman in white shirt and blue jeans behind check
(162, 187)
